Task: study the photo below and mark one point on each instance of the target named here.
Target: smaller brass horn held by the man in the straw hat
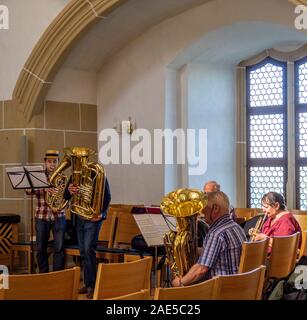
(55, 200)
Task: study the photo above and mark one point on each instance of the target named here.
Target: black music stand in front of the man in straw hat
(28, 177)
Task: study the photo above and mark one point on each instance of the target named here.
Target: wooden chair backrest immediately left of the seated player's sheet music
(126, 229)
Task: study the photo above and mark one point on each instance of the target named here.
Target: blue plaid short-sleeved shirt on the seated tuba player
(222, 247)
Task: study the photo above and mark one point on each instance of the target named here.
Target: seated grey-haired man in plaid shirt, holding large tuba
(222, 244)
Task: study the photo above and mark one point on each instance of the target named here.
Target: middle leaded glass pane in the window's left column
(266, 136)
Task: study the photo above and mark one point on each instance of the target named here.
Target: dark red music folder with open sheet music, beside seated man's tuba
(153, 224)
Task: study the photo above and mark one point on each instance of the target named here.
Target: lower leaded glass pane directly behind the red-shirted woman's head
(263, 180)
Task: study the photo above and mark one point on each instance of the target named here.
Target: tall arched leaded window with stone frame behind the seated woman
(272, 127)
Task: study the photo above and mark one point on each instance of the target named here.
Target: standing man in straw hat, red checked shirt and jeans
(46, 220)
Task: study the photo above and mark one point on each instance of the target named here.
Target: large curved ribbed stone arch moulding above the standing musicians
(54, 45)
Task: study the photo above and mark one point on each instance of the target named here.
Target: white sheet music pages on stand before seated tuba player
(153, 227)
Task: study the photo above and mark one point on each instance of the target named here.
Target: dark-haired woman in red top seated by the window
(280, 221)
